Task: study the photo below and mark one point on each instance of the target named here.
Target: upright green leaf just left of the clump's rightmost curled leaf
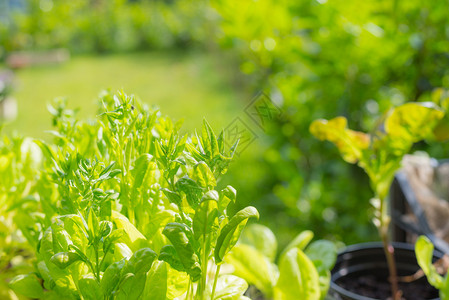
(205, 219)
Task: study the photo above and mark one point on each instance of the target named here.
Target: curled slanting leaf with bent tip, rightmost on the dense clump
(230, 233)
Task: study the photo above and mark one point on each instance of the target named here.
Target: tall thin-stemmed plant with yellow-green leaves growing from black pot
(380, 154)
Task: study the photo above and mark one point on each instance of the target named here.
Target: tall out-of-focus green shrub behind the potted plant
(324, 58)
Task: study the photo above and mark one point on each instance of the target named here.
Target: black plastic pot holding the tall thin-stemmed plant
(367, 262)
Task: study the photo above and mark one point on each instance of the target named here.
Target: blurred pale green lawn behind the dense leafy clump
(183, 85)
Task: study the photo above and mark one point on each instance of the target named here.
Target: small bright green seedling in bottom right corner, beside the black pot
(424, 254)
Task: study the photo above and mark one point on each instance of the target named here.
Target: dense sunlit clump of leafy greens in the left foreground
(128, 208)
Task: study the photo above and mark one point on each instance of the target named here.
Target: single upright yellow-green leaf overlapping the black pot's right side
(424, 254)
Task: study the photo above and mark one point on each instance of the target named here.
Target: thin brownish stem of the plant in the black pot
(388, 250)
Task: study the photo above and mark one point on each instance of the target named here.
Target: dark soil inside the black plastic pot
(377, 288)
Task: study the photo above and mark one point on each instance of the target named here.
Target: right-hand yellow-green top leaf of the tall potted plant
(412, 122)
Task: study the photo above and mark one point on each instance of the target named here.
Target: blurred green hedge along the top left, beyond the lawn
(104, 26)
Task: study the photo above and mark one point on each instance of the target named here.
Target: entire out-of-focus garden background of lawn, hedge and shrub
(195, 59)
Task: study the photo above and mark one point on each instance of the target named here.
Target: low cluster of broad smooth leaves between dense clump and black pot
(302, 270)
